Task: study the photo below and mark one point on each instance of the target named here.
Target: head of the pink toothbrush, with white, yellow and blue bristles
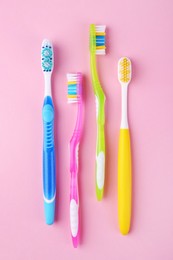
(74, 82)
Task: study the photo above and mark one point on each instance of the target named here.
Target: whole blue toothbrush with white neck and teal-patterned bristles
(49, 178)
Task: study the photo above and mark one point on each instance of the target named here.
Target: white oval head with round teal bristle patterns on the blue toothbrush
(47, 59)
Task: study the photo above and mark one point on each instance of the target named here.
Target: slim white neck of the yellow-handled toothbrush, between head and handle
(124, 116)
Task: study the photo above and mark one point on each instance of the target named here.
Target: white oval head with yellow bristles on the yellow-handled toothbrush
(124, 70)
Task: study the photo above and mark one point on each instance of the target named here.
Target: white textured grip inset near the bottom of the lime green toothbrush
(100, 176)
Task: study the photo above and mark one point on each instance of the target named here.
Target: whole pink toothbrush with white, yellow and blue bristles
(75, 96)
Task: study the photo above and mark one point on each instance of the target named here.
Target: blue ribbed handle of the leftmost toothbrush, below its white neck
(49, 172)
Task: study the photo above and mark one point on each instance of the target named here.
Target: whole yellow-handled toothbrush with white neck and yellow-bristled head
(124, 152)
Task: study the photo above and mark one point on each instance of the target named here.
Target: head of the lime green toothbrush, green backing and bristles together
(97, 39)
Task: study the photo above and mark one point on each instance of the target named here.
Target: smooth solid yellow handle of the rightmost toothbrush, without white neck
(124, 181)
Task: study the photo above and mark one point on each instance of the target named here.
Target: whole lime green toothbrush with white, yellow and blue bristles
(97, 47)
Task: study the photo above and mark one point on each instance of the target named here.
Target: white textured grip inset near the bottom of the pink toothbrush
(74, 218)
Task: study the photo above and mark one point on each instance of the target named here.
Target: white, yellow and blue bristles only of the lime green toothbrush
(100, 39)
